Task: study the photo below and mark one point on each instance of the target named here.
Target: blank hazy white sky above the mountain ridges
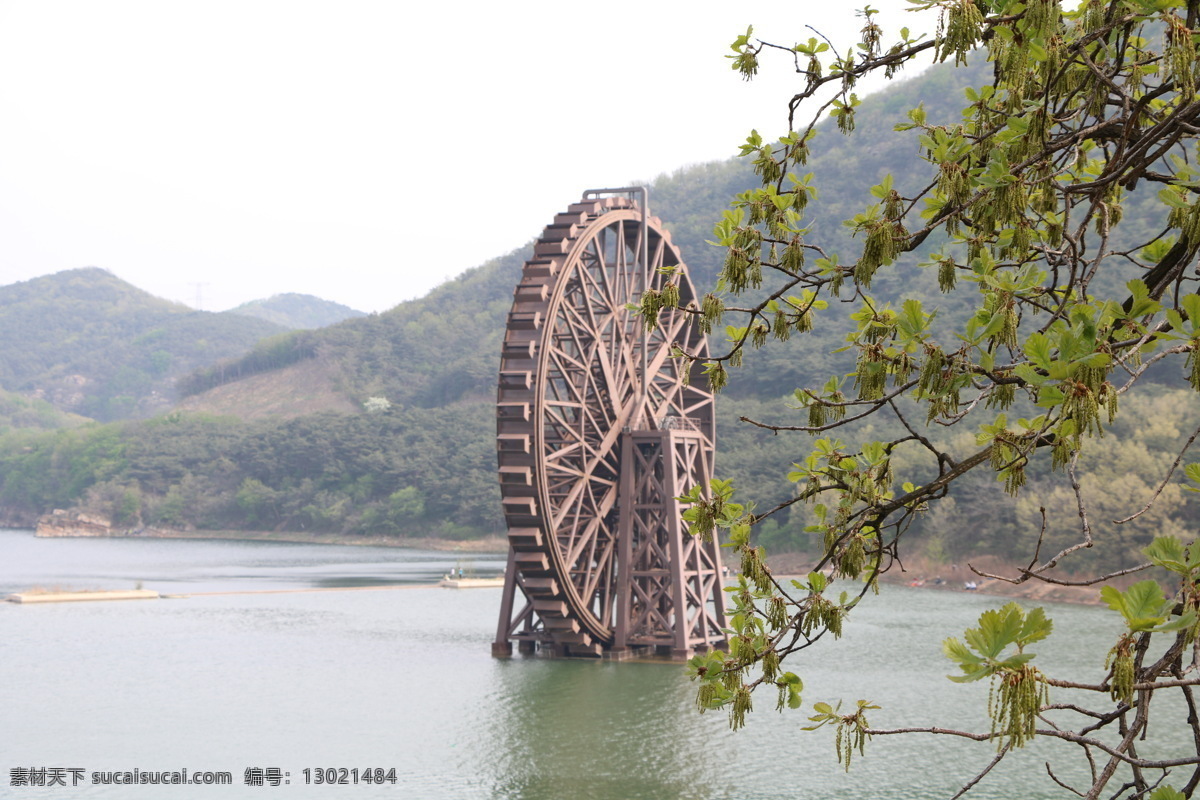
(358, 151)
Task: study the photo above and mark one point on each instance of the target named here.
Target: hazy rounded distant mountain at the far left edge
(89, 344)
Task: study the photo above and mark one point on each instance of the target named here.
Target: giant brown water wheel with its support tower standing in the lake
(599, 430)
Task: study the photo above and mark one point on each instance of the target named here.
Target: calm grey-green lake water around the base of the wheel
(403, 678)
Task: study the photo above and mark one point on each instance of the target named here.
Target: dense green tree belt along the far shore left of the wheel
(365, 473)
